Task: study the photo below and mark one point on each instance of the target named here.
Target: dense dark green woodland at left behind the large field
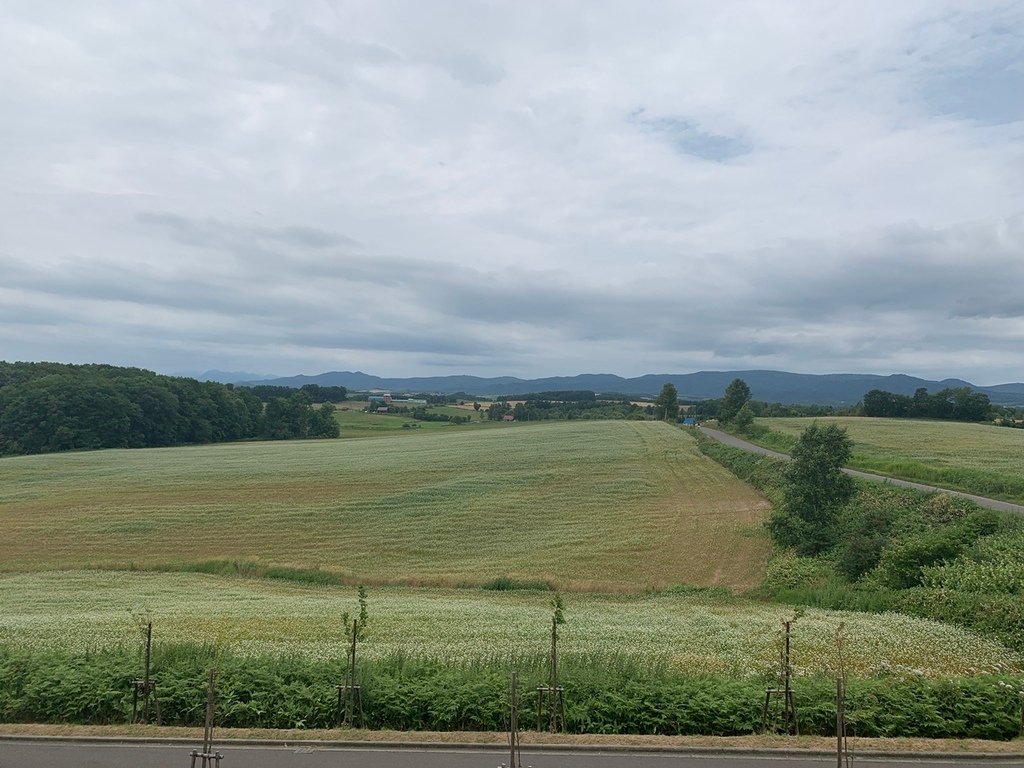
(50, 407)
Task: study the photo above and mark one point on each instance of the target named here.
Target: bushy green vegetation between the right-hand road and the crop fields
(893, 549)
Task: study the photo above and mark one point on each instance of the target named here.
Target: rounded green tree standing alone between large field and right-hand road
(816, 491)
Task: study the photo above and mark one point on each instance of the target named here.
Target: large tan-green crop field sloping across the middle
(604, 506)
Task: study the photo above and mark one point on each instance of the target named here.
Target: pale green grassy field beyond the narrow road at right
(975, 458)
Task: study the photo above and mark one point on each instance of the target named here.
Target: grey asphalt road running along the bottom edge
(69, 755)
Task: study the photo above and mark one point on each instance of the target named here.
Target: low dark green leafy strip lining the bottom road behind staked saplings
(403, 694)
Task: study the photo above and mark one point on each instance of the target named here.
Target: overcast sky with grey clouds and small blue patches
(515, 188)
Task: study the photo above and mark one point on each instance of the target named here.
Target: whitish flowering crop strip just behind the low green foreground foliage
(79, 611)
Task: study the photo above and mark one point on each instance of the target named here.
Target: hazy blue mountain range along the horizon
(773, 387)
